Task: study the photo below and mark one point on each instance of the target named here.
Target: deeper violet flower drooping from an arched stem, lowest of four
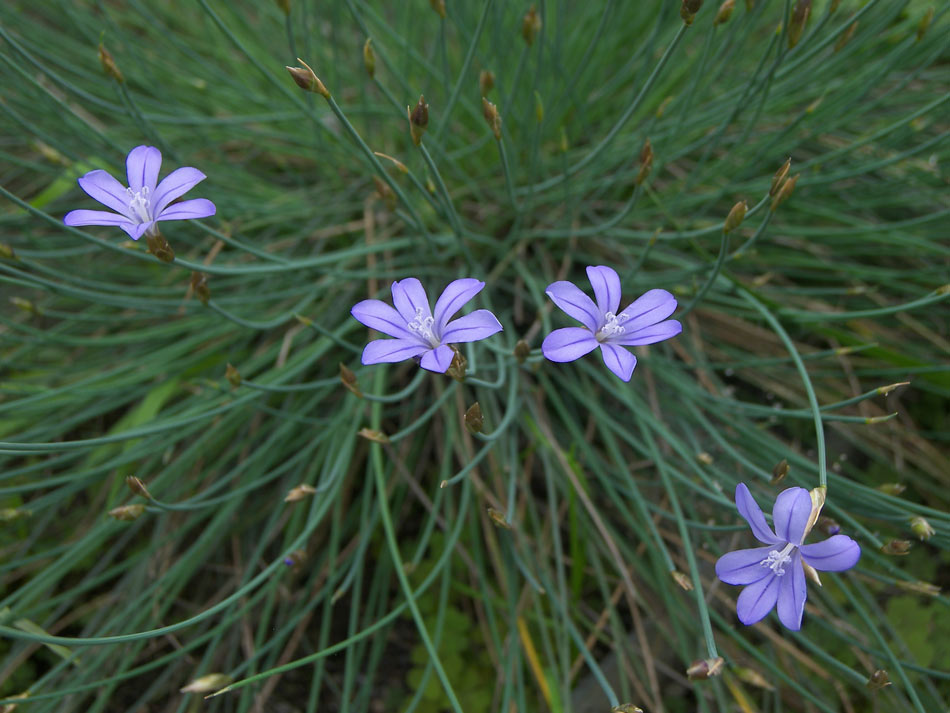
(775, 574)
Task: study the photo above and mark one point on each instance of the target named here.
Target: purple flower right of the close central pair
(640, 323)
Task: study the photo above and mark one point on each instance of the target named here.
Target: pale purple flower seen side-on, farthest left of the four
(138, 207)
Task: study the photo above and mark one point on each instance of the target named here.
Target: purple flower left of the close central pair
(417, 330)
